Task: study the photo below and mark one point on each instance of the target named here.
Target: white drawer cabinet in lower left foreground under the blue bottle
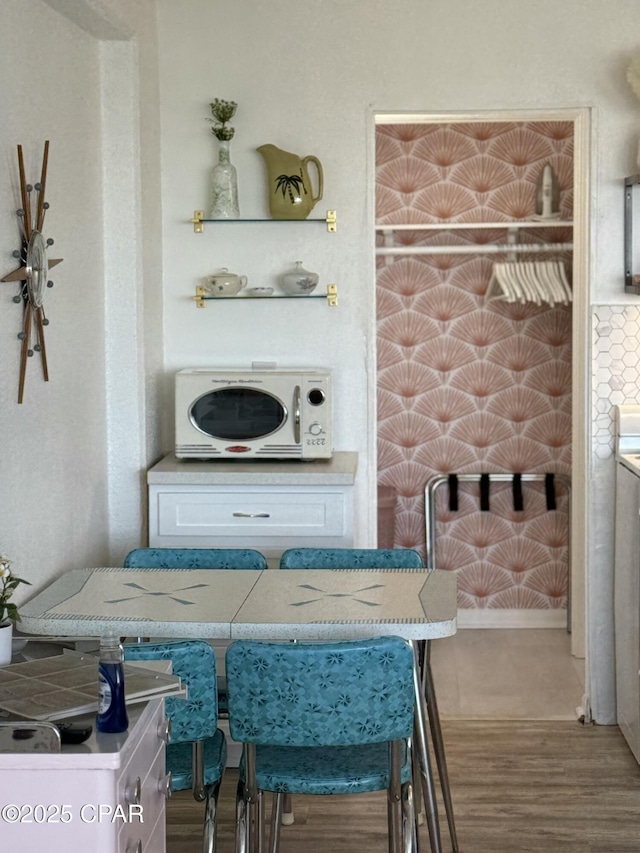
(69, 801)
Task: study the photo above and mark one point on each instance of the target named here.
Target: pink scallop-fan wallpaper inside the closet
(466, 385)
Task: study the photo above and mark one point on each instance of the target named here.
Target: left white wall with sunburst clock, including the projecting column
(73, 453)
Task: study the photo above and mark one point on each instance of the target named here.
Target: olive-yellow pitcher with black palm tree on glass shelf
(289, 184)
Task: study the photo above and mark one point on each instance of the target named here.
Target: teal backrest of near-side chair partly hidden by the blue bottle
(195, 717)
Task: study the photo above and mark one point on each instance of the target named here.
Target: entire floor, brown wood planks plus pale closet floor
(526, 775)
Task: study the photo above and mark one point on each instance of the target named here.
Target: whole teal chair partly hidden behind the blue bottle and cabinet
(197, 750)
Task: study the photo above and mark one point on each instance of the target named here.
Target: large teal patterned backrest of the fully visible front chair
(320, 694)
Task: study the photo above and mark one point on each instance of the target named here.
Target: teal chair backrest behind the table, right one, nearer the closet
(351, 558)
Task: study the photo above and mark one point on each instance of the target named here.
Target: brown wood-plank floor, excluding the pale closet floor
(517, 787)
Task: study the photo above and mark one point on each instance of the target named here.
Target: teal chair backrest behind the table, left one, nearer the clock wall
(195, 558)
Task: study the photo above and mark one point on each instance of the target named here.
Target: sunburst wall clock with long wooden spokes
(33, 271)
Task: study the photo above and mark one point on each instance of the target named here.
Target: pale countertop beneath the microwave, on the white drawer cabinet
(339, 470)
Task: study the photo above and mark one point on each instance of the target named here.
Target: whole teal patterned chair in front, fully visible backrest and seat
(322, 718)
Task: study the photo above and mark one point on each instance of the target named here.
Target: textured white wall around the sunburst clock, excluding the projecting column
(52, 467)
